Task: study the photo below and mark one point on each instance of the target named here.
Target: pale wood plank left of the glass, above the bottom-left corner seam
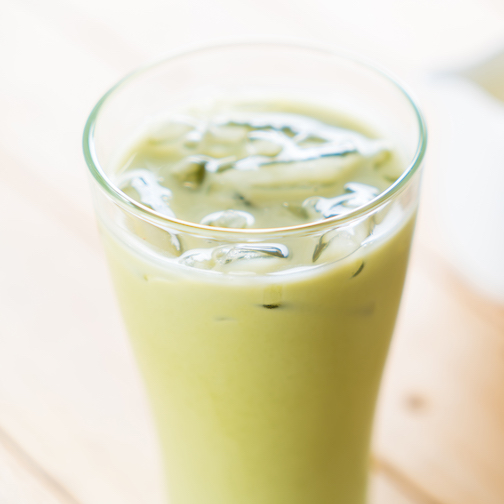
(69, 392)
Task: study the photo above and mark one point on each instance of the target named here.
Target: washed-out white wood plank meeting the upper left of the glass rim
(45, 100)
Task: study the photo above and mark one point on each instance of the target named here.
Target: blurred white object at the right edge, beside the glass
(470, 108)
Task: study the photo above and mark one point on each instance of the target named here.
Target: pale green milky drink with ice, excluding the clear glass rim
(262, 360)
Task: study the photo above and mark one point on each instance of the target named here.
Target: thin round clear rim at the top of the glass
(139, 209)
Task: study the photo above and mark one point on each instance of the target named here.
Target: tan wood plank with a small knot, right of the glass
(441, 417)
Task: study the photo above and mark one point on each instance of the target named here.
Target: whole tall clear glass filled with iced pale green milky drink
(258, 244)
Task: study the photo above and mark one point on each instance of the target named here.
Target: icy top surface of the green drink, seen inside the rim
(261, 166)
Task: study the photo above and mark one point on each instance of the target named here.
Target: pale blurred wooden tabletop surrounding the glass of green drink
(74, 425)
